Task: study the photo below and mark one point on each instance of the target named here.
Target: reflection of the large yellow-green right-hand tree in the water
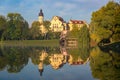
(105, 65)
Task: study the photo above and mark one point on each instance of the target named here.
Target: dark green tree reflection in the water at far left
(13, 58)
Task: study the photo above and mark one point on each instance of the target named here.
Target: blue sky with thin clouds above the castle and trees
(67, 9)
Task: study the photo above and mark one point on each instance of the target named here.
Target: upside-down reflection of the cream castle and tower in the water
(57, 60)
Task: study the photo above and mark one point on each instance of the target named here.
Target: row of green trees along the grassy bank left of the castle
(15, 27)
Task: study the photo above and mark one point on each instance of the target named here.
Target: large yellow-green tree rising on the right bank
(105, 22)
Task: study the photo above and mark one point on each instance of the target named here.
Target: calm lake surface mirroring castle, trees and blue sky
(59, 63)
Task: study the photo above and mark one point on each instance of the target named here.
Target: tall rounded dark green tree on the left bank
(17, 27)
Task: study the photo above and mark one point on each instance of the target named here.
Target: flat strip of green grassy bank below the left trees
(30, 43)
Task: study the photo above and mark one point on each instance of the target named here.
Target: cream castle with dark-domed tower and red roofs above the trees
(58, 24)
